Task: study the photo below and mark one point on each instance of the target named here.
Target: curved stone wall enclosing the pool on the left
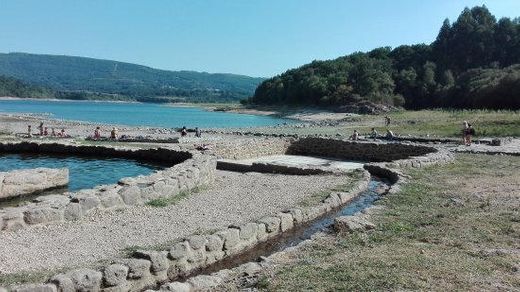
(192, 170)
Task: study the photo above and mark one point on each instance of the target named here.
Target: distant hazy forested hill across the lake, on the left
(80, 75)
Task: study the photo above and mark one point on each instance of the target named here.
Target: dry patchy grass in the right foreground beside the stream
(453, 227)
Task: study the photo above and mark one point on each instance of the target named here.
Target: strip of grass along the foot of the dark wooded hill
(433, 123)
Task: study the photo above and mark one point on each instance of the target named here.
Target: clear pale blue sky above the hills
(257, 38)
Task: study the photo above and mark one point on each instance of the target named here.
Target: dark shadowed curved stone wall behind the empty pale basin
(357, 150)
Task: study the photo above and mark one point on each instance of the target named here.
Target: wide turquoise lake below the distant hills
(137, 114)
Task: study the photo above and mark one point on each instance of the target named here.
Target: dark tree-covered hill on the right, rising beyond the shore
(473, 63)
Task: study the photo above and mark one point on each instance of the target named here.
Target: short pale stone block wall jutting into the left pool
(28, 181)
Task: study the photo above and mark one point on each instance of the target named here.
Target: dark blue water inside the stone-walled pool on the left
(84, 172)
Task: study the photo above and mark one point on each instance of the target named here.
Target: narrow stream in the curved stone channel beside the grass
(300, 232)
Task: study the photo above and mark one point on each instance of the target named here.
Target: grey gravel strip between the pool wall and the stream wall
(234, 198)
